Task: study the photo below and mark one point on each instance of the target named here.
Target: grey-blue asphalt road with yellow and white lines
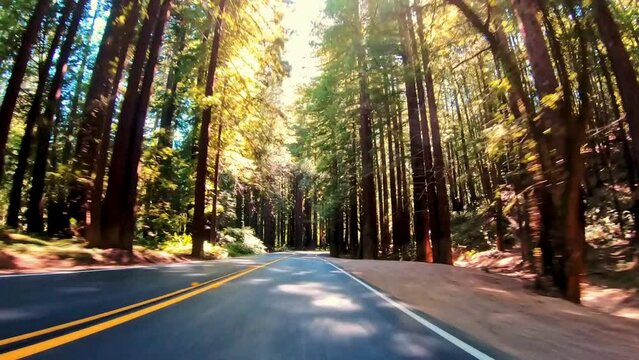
(275, 306)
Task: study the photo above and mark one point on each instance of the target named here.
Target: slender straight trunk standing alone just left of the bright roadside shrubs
(199, 231)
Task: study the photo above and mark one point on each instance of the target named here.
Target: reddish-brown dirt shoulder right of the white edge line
(498, 311)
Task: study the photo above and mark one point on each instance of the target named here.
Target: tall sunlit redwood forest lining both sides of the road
(433, 129)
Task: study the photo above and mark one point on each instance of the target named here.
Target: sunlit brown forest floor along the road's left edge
(24, 254)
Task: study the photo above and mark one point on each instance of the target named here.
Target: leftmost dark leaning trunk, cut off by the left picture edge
(14, 84)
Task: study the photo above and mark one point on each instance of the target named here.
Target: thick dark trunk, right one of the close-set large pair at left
(117, 221)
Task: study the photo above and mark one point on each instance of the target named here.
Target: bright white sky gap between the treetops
(298, 51)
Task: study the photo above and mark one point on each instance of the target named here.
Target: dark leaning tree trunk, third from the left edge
(35, 211)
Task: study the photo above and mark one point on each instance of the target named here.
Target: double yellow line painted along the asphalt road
(172, 297)
